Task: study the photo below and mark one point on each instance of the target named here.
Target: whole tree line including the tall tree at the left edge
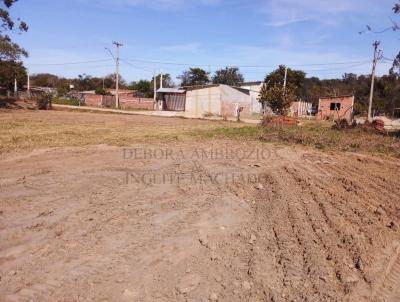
(299, 87)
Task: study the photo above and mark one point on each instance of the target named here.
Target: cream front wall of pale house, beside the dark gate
(202, 102)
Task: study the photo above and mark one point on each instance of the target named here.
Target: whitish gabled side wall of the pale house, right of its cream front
(231, 99)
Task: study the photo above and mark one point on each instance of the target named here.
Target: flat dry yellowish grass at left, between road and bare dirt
(26, 130)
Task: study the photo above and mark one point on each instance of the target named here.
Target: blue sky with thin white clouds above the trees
(207, 33)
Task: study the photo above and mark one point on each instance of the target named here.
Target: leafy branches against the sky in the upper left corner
(10, 51)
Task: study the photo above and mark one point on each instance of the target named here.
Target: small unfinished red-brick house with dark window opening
(336, 107)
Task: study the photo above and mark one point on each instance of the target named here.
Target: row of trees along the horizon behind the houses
(299, 86)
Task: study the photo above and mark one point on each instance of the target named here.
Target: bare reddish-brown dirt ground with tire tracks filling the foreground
(203, 220)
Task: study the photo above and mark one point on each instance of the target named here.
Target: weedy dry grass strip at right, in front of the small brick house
(319, 135)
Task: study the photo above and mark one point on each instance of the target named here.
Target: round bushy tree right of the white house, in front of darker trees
(277, 98)
